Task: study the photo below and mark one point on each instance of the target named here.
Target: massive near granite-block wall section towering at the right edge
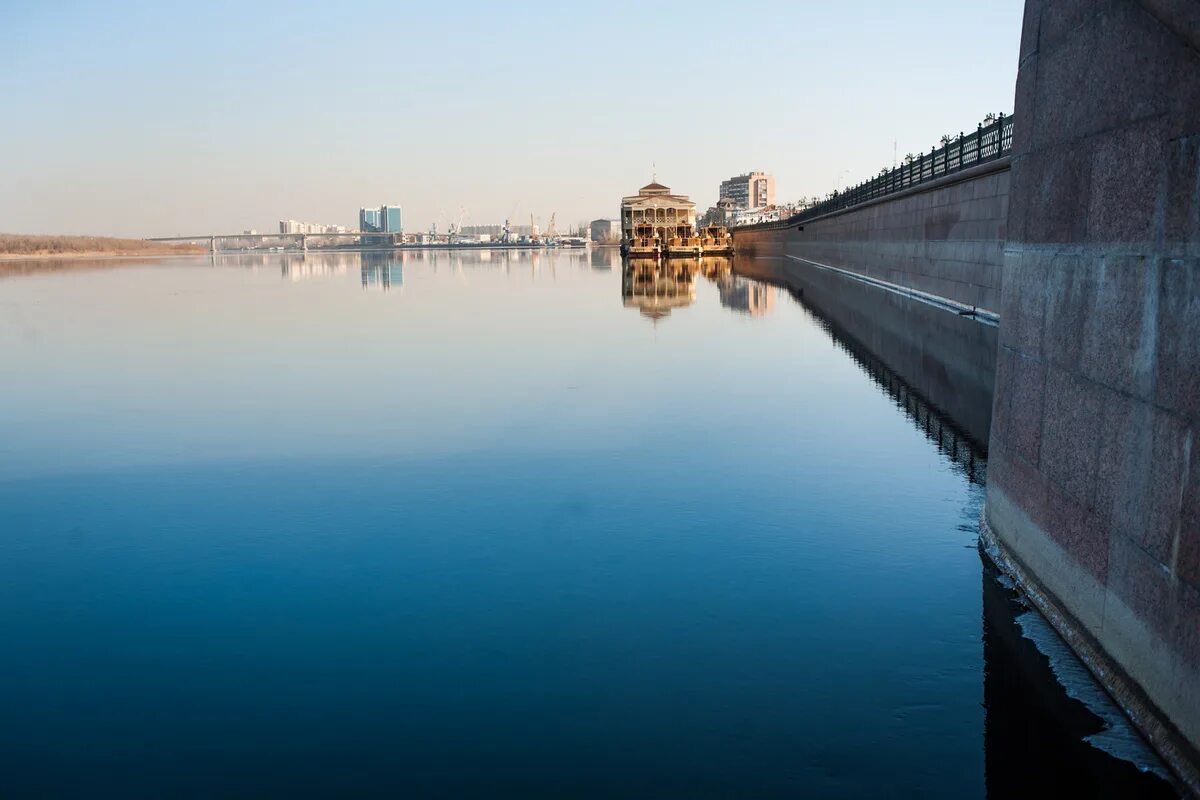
(1094, 491)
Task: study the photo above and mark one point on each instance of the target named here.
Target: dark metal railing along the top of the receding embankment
(988, 143)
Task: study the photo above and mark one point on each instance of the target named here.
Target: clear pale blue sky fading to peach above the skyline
(155, 119)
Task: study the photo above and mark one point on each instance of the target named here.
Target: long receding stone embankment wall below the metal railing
(945, 238)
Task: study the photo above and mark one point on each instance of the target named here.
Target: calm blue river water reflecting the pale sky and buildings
(493, 525)
